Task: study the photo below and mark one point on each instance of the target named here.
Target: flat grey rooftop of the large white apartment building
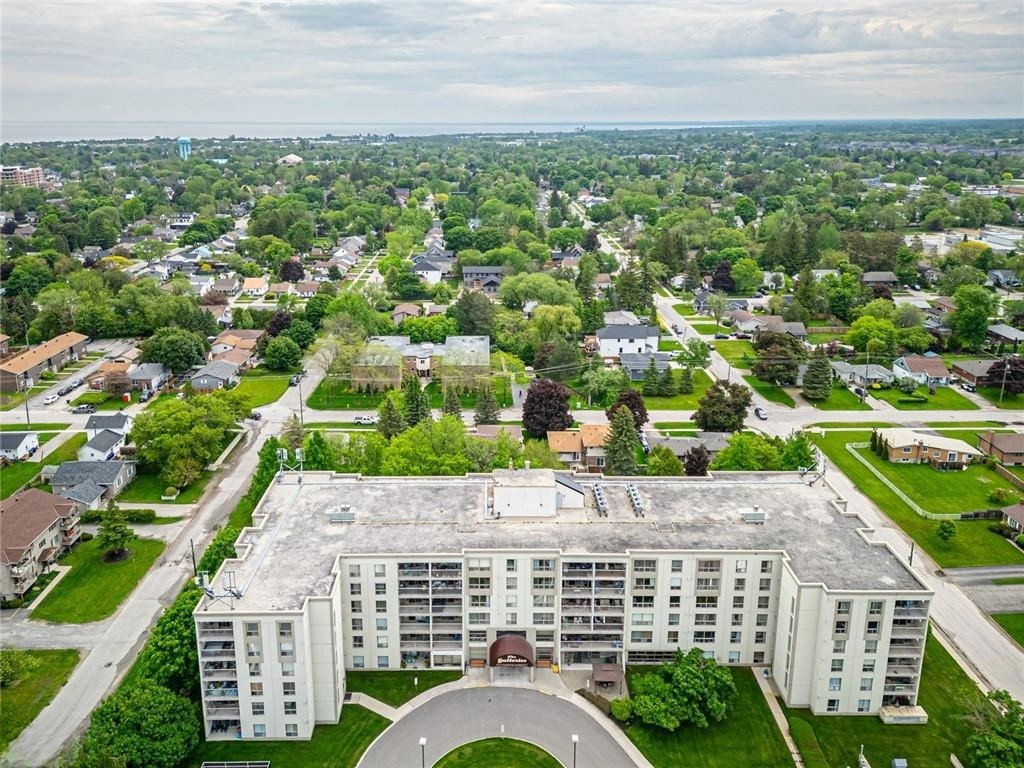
(303, 528)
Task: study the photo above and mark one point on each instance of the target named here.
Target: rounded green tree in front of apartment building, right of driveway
(692, 690)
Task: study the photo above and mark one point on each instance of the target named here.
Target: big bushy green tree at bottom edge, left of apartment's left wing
(144, 726)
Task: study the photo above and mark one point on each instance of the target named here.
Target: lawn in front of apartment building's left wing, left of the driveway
(338, 746)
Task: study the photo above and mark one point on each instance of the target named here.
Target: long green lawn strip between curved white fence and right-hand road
(974, 543)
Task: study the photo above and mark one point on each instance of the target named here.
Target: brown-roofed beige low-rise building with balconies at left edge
(35, 529)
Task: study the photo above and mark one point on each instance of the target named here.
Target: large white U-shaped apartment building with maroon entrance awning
(533, 568)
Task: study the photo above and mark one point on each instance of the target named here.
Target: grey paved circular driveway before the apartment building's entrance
(463, 716)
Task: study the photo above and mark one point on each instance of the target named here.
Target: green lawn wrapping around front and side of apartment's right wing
(955, 707)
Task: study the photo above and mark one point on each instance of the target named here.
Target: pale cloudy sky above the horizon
(515, 61)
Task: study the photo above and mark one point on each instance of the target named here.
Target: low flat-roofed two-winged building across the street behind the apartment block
(386, 360)
